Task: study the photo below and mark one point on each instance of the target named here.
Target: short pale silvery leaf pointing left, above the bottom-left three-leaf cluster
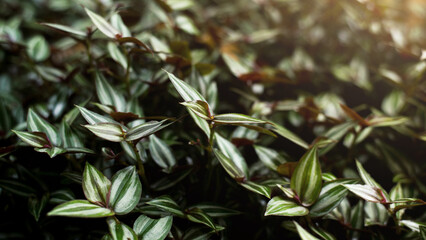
(108, 131)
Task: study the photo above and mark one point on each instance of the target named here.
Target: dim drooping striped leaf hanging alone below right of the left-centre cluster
(161, 153)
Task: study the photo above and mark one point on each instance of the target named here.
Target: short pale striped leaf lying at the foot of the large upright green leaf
(280, 207)
